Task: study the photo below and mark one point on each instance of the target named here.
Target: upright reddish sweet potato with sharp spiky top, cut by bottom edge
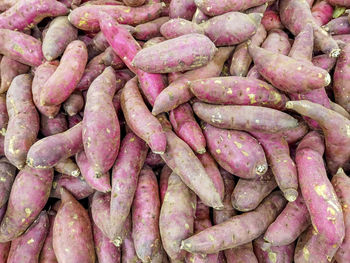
(72, 232)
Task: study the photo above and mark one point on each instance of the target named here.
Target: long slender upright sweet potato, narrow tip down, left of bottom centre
(125, 175)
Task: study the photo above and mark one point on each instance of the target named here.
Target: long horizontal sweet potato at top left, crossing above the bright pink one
(86, 17)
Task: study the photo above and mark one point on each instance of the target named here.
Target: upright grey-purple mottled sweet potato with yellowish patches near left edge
(23, 125)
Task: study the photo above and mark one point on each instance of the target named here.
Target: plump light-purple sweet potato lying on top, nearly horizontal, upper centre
(186, 52)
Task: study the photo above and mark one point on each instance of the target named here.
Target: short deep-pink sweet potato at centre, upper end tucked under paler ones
(187, 128)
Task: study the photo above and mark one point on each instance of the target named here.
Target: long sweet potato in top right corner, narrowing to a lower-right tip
(295, 14)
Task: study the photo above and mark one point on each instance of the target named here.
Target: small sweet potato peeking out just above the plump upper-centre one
(178, 26)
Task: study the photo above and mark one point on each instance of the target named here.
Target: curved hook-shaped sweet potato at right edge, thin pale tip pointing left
(334, 127)
